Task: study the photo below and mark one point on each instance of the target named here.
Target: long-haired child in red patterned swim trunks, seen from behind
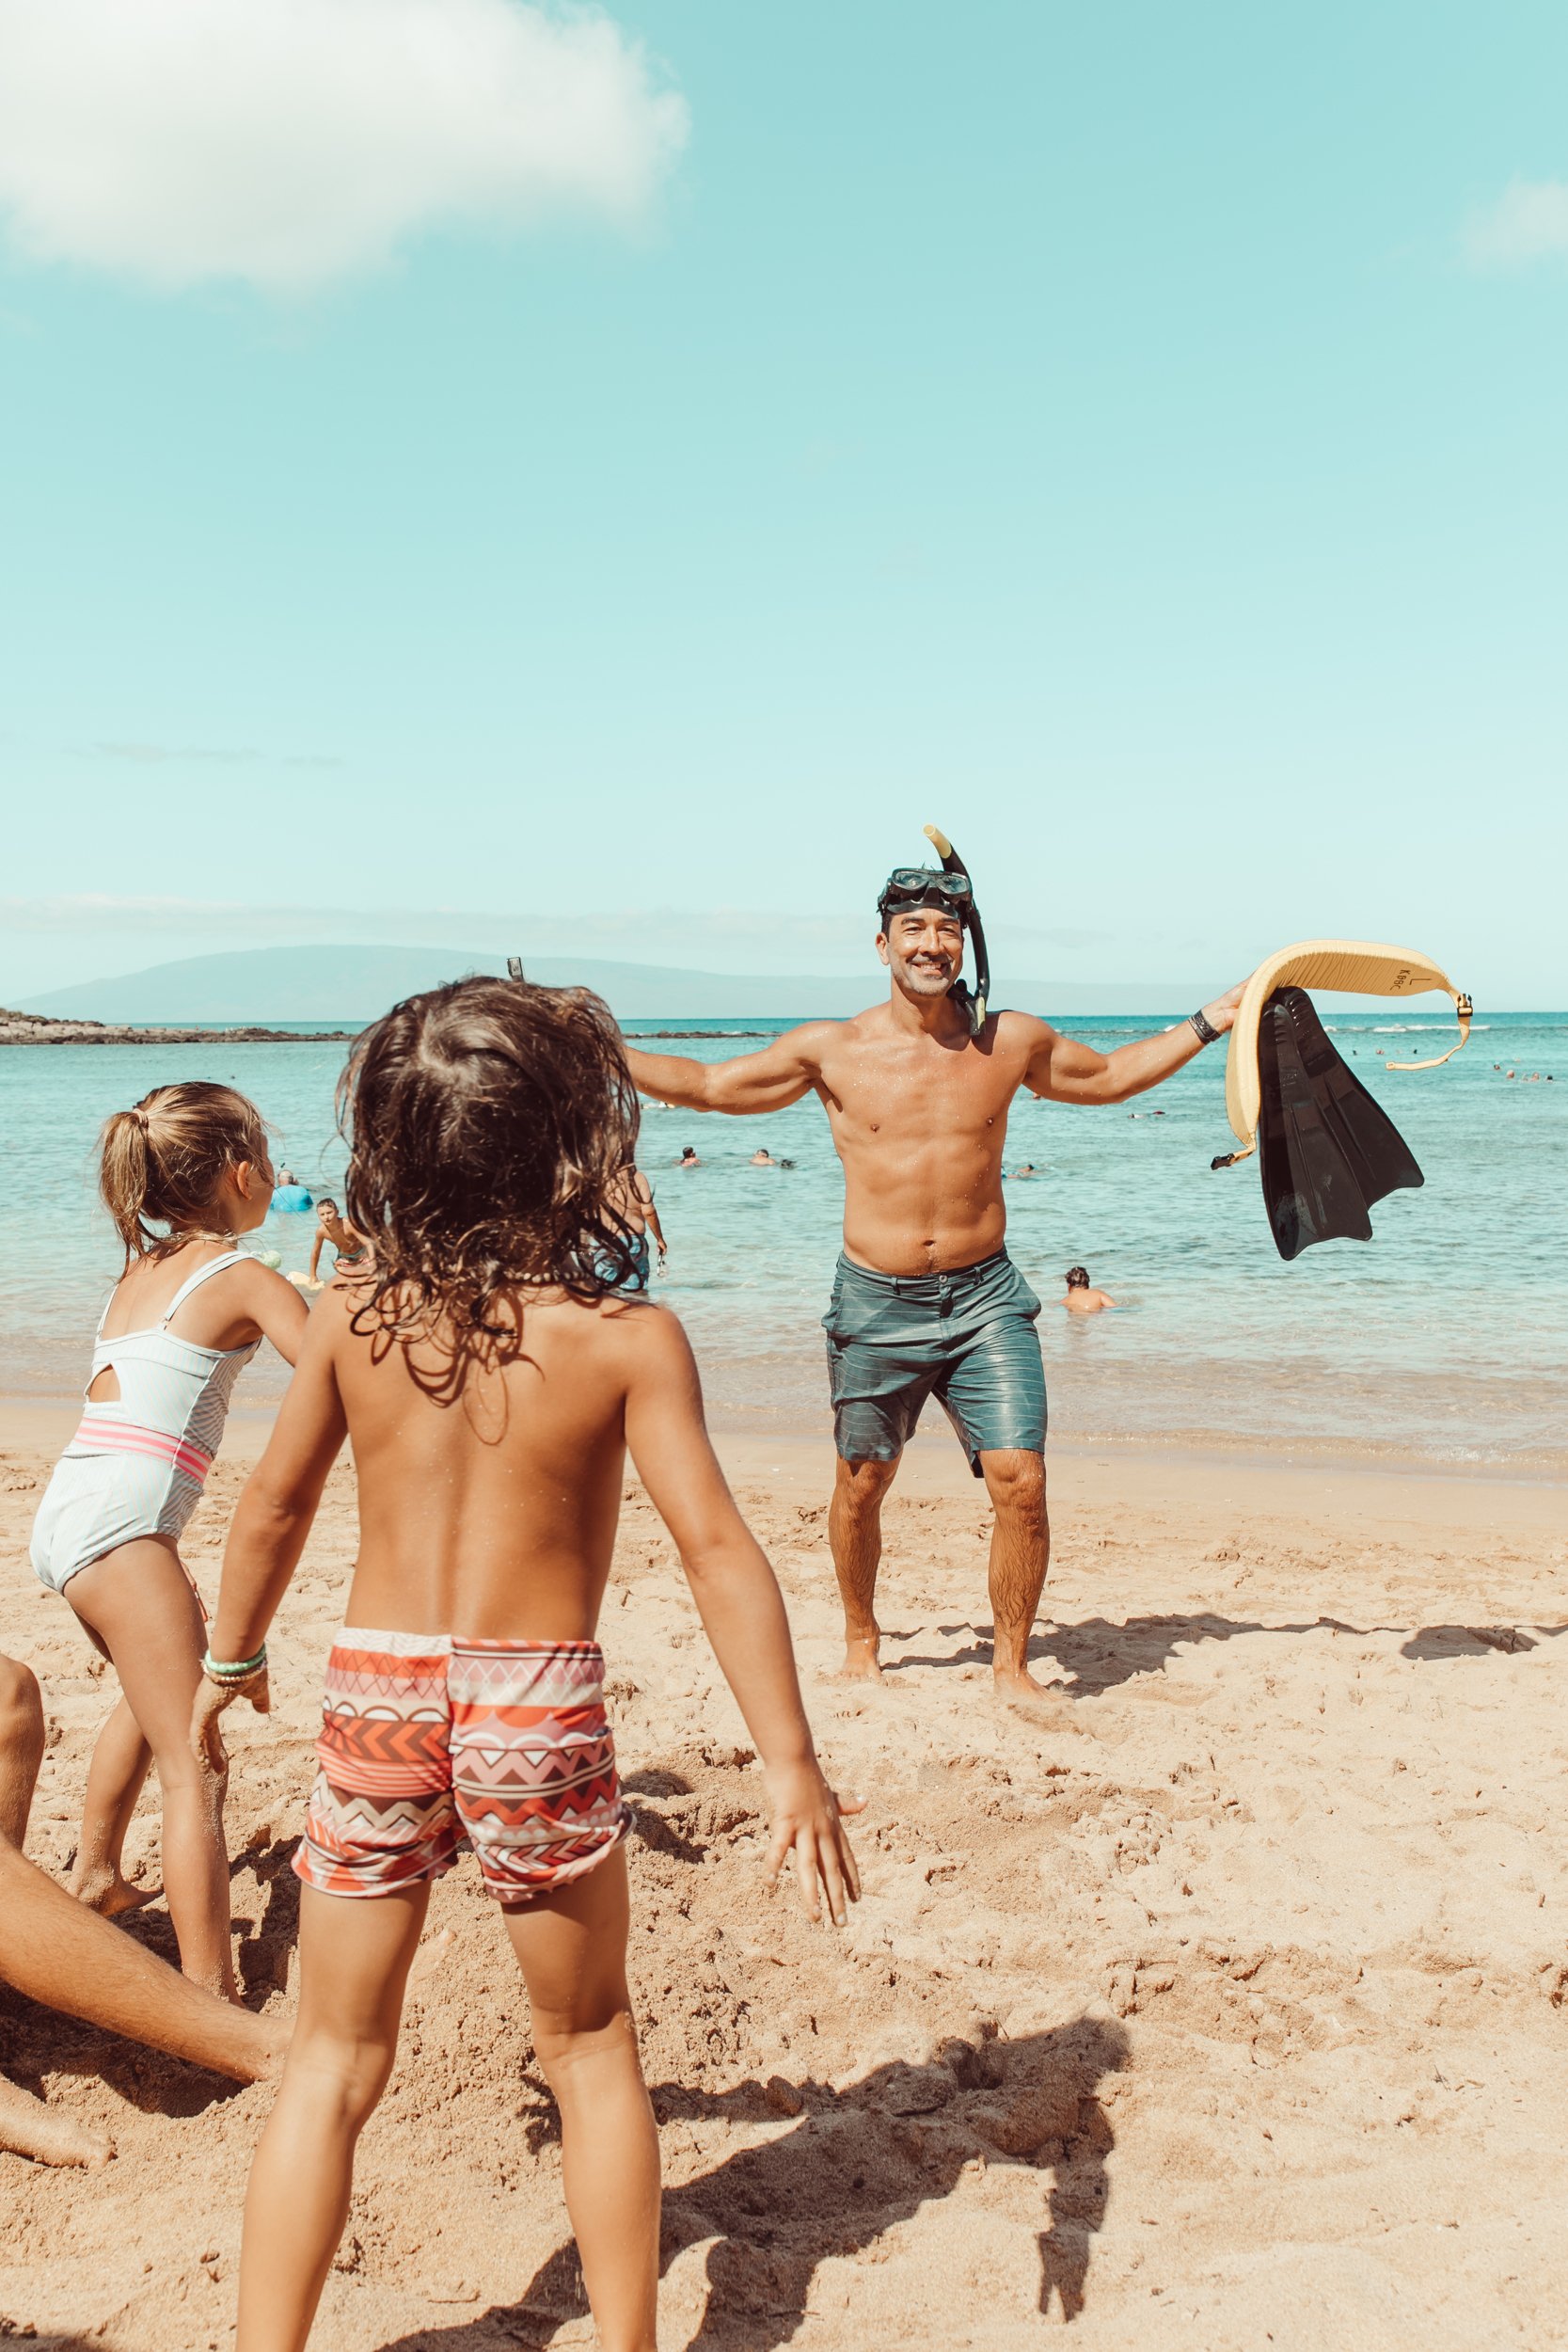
(492, 1370)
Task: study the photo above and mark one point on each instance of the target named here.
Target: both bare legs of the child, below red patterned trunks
(354, 1970)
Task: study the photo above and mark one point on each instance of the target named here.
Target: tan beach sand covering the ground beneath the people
(1226, 2012)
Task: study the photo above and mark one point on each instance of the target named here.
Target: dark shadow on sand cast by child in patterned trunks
(852, 2167)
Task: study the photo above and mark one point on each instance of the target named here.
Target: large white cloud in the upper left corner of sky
(290, 142)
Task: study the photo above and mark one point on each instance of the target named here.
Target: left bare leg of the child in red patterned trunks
(354, 1965)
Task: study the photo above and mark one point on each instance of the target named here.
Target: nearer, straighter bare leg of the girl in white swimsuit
(142, 1608)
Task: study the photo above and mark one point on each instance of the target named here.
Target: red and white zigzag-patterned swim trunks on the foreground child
(431, 1742)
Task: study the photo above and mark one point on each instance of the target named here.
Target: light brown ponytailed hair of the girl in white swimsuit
(163, 1161)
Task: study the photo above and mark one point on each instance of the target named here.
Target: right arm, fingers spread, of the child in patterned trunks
(742, 1610)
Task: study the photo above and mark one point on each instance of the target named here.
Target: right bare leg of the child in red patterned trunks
(572, 1953)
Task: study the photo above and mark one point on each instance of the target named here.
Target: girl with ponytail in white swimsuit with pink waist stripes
(182, 1323)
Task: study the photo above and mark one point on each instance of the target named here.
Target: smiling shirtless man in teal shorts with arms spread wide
(927, 1302)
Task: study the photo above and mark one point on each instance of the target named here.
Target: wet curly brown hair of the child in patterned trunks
(490, 1130)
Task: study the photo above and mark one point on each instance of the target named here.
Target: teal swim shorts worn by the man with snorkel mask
(965, 1339)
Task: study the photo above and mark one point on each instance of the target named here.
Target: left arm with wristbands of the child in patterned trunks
(274, 1518)
